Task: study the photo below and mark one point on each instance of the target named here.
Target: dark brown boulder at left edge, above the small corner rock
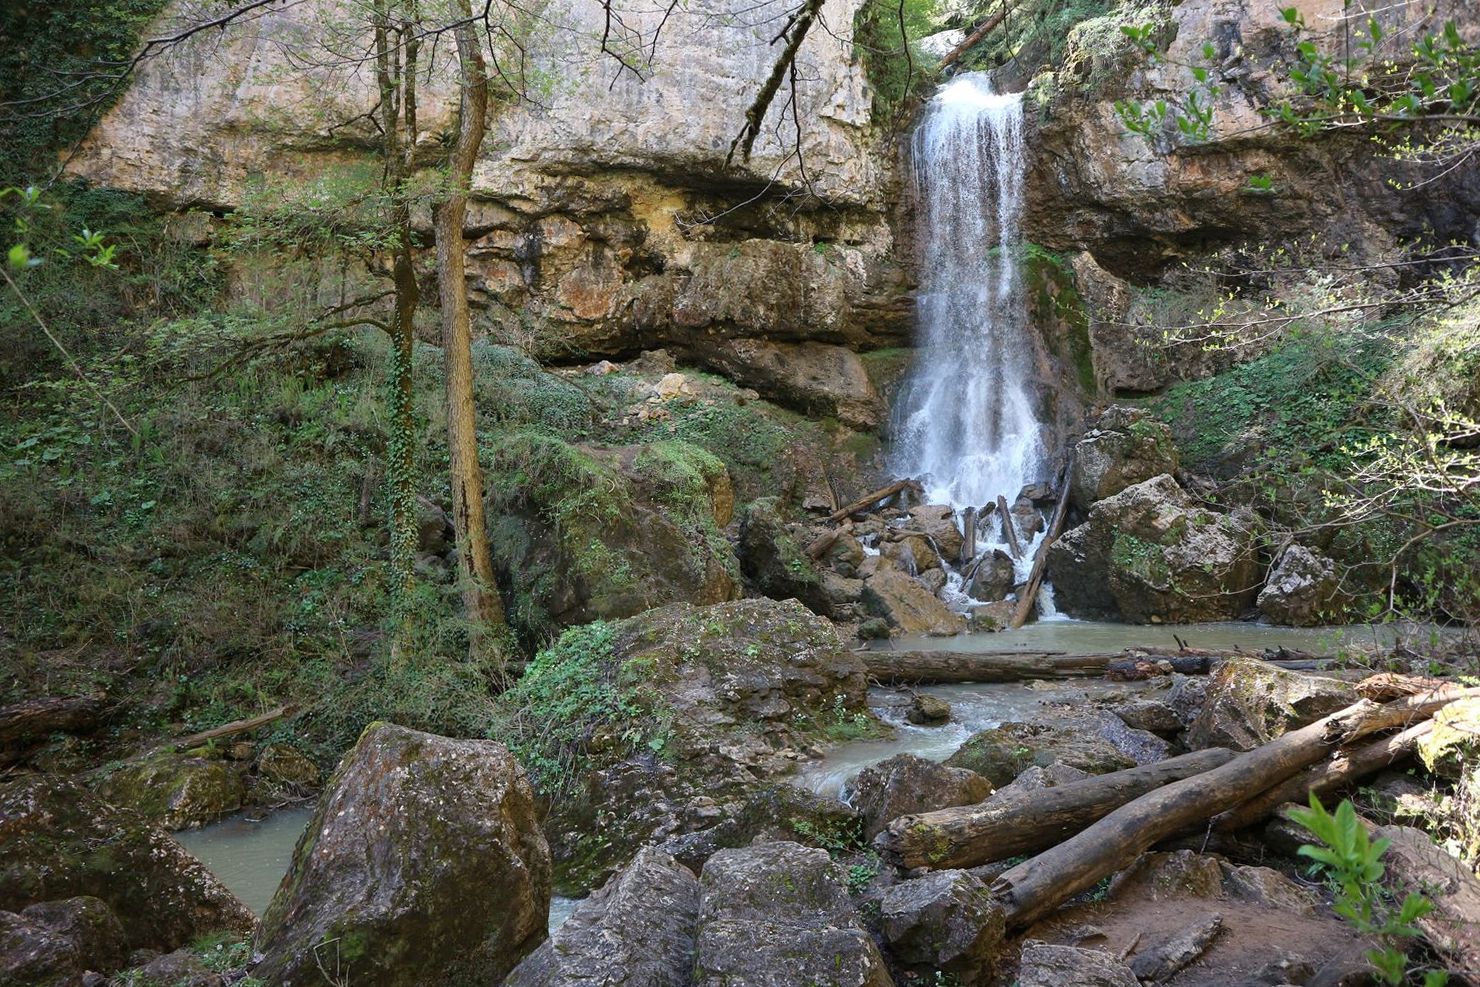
(58, 841)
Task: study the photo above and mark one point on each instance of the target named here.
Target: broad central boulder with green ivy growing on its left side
(679, 726)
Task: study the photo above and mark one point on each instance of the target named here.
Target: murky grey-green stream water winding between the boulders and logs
(251, 855)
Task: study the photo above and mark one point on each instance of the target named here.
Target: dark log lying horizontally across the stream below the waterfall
(945, 668)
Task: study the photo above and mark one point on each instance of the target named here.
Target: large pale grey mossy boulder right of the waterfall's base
(1151, 556)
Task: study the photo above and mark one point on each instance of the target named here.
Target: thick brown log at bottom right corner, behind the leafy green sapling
(1414, 863)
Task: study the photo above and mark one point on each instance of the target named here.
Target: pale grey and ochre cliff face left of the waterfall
(605, 218)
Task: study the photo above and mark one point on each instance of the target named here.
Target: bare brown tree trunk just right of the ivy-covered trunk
(474, 560)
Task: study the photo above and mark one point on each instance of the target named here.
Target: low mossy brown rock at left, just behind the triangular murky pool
(175, 791)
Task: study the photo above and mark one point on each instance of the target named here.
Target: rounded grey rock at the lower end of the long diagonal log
(945, 921)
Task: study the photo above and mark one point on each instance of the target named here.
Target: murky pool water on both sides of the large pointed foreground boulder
(251, 856)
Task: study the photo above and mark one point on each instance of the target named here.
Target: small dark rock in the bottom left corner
(54, 943)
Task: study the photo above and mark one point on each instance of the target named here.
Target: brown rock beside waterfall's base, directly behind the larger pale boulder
(1123, 449)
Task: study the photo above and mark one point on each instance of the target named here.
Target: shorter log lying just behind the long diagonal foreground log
(1028, 822)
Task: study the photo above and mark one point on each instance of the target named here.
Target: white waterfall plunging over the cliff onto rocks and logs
(964, 422)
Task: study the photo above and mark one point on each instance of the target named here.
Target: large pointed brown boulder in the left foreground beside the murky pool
(424, 863)
